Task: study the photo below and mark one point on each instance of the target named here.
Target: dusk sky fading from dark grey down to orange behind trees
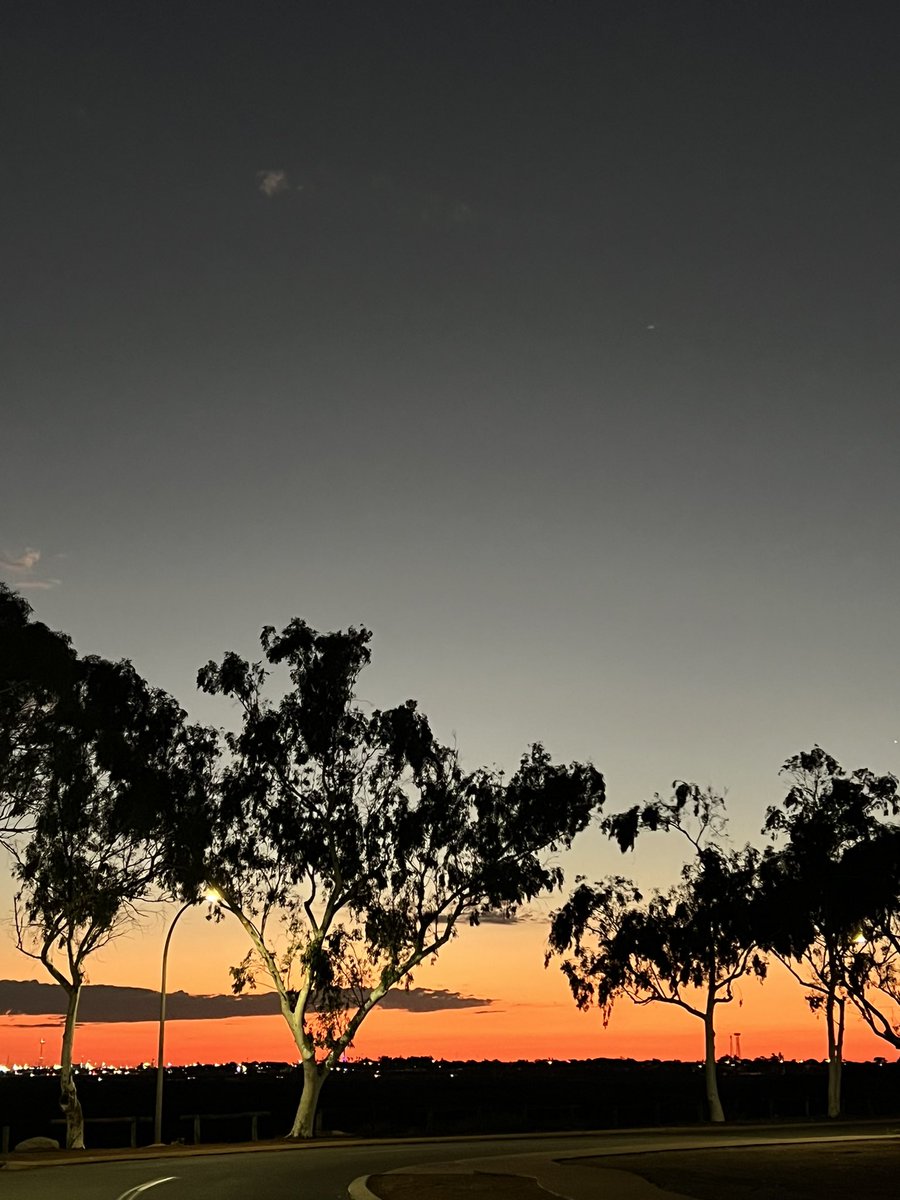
(554, 343)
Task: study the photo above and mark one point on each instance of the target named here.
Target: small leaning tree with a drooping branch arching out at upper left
(687, 946)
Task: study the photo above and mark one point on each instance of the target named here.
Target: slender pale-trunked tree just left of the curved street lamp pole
(115, 777)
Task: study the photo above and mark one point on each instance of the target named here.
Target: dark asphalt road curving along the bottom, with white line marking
(323, 1172)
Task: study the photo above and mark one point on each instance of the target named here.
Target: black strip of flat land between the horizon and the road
(424, 1099)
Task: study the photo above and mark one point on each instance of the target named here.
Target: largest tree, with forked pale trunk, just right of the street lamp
(351, 845)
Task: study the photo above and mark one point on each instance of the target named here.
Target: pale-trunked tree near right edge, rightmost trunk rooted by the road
(823, 889)
